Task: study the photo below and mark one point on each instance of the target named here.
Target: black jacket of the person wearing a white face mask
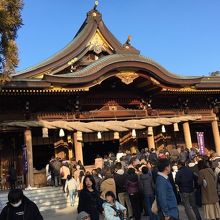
(26, 211)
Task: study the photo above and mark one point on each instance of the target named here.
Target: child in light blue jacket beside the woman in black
(113, 210)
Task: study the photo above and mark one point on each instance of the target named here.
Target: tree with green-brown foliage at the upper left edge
(10, 22)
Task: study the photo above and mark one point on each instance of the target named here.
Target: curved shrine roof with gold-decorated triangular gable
(118, 57)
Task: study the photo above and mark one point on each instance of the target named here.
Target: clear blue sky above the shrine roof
(182, 35)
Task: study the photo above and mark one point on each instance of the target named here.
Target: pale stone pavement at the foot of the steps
(69, 213)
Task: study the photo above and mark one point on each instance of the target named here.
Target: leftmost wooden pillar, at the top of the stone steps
(28, 142)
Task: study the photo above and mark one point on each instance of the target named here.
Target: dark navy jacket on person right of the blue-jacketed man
(185, 180)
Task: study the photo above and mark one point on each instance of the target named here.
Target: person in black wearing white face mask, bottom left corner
(19, 207)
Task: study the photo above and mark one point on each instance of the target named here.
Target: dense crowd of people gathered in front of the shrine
(150, 183)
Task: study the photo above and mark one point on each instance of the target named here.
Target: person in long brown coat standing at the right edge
(209, 192)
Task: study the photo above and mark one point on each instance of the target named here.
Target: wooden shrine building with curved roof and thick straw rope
(97, 96)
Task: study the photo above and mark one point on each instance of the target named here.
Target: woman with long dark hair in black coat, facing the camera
(89, 199)
